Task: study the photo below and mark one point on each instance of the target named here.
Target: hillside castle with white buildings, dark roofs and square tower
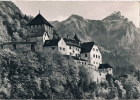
(41, 37)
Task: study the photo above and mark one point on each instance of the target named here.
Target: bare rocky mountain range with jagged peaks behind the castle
(117, 37)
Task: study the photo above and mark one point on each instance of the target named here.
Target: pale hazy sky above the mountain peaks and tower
(94, 10)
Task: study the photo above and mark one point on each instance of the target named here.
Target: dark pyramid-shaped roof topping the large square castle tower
(39, 20)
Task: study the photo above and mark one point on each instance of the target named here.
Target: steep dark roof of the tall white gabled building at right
(86, 47)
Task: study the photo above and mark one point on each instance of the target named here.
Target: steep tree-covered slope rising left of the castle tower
(12, 22)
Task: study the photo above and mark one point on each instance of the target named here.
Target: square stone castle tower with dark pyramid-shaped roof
(39, 30)
